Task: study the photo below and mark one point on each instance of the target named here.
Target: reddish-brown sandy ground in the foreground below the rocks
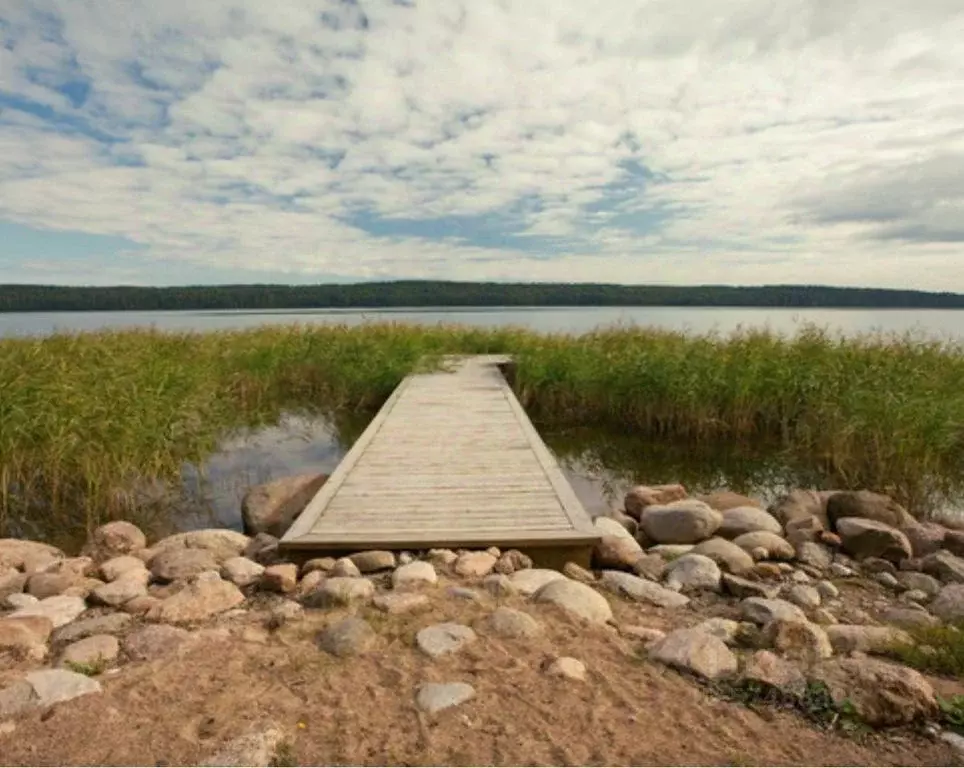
(360, 711)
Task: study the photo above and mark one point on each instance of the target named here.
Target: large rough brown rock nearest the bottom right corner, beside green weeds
(880, 694)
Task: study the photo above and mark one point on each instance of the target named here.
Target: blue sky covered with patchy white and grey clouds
(738, 142)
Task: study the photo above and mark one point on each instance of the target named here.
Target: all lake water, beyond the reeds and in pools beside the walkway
(600, 467)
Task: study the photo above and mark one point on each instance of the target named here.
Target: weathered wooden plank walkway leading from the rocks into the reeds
(451, 460)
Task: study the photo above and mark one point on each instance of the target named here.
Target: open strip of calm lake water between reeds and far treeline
(945, 324)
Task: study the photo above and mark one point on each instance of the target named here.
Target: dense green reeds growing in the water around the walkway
(82, 417)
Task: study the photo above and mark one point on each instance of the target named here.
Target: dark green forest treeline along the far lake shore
(417, 293)
